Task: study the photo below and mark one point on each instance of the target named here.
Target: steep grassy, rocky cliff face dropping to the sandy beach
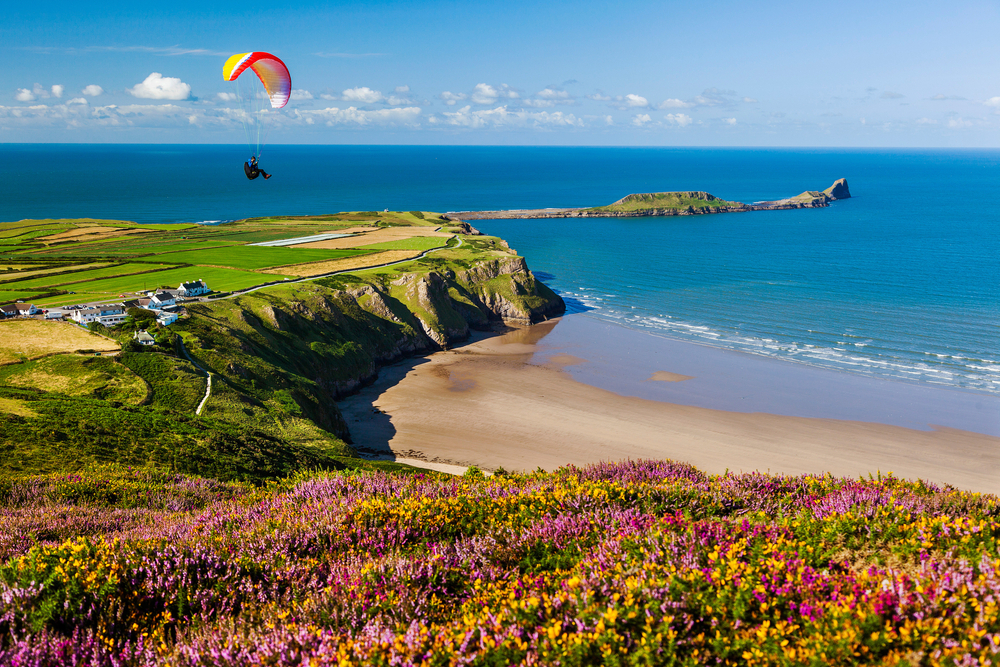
(311, 343)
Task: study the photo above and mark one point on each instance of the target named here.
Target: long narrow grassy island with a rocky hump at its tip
(668, 204)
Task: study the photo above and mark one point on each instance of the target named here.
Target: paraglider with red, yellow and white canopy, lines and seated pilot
(268, 87)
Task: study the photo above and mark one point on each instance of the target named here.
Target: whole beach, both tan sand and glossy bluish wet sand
(579, 391)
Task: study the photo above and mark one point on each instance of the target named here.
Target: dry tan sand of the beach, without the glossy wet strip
(512, 401)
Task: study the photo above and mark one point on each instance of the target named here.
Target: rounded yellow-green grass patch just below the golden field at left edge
(95, 377)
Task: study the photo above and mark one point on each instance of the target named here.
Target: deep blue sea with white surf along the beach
(901, 282)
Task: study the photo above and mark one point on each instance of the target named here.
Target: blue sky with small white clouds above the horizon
(555, 73)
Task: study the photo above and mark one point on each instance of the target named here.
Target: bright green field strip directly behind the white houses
(218, 279)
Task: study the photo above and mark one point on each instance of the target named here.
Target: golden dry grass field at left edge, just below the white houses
(28, 338)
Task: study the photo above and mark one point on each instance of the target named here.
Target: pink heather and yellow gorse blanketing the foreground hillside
(634, 563)
